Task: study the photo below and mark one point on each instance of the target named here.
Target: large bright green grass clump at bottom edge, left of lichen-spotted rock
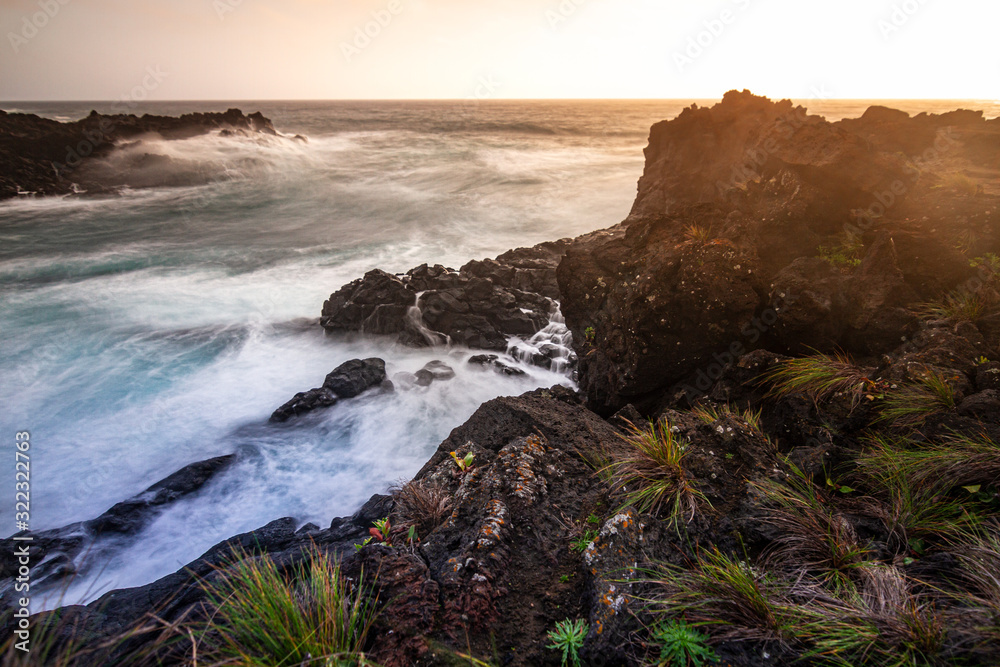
(266, 615)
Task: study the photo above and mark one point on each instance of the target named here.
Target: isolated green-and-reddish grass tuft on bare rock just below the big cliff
(651, 476)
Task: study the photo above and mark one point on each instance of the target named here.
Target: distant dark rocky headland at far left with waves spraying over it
(45, 157)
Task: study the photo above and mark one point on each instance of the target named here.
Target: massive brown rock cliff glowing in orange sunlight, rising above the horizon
(757, 225)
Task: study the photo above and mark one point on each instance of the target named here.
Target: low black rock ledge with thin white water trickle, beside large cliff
(479, 306)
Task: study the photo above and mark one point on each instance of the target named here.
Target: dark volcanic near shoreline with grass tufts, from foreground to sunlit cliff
(810, 310)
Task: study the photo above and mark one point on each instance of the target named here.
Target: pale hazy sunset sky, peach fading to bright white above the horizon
(516, 49)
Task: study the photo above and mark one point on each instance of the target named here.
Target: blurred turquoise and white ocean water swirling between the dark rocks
(146, 331)
